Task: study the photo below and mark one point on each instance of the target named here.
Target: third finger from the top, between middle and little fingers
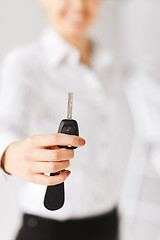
(50, 167)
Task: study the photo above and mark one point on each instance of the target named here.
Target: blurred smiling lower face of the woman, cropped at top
(71, 17)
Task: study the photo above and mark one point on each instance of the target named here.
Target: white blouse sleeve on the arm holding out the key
(14, 102)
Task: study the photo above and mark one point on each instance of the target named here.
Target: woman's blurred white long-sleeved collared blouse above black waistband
(36, 80)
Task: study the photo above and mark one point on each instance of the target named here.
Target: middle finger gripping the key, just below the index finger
(51, 155)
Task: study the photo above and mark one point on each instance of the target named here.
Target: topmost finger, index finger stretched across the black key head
(57, 139)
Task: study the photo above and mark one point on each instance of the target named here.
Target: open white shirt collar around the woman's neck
(57, 51)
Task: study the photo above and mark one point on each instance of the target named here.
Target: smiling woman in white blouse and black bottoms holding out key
(36, 80)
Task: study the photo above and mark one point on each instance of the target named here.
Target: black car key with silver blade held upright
(55, 196)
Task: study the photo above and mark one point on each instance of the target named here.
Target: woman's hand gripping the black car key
(36, 155)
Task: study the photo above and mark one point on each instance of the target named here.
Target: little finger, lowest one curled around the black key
(50, 180)
